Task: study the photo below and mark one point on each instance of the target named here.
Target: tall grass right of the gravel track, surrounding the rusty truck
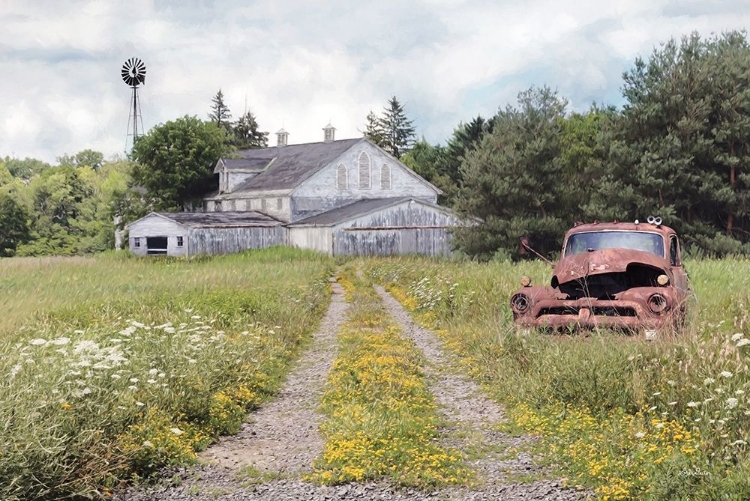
(604, 399)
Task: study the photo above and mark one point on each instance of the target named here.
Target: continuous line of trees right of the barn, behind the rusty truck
(679, 148)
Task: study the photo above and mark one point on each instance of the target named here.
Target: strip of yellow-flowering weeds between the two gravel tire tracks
(381, 420)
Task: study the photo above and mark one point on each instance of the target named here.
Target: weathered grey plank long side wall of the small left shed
(229, 240)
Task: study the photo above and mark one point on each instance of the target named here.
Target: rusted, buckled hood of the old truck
(602, 261)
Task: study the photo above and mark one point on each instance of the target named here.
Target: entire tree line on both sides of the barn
(679, 148)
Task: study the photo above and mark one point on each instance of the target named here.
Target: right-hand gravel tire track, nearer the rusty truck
(475, 418)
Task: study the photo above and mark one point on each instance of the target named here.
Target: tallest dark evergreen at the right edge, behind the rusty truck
(681, 149)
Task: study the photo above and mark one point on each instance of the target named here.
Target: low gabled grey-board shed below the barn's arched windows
(387, 226)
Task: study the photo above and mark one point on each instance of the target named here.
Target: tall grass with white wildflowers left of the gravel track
(114, 367)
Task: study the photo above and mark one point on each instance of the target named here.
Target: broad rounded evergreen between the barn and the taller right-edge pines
(513, 180)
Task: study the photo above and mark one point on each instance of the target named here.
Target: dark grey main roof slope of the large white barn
(285, 167)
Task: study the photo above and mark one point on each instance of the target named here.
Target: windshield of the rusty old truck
(597, 240)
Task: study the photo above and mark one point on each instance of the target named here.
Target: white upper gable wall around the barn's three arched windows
(319, 193)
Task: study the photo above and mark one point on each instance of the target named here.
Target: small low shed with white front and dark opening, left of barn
(191, 233)
